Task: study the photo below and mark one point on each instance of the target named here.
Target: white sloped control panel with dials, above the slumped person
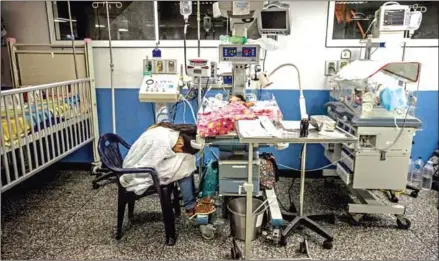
(159, 88)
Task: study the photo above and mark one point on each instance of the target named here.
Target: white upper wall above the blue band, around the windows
(305, 47)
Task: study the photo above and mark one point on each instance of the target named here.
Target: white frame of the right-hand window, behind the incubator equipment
(354, 43)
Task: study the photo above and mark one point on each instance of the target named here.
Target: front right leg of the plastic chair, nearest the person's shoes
(168, 215)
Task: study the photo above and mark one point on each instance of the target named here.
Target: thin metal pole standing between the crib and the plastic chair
(113, 102)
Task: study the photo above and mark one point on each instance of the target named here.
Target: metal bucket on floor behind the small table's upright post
(237, 216)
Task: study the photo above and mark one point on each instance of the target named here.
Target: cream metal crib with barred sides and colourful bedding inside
(53, 117)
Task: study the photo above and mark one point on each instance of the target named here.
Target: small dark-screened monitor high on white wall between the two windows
(274, 19)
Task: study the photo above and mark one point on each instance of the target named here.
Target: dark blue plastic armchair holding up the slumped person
(109, 151)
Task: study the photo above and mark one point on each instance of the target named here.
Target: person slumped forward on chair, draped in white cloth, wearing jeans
(166, 147)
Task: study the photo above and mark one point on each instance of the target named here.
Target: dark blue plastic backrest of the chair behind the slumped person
(109, 151)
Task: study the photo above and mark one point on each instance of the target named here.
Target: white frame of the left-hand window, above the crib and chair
(129, 43)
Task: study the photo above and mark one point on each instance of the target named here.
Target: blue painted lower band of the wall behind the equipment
(134, 117)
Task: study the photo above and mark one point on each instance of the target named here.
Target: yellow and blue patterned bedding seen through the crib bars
(37, 116)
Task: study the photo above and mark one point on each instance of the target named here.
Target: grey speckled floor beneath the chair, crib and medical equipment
(56, 215)
